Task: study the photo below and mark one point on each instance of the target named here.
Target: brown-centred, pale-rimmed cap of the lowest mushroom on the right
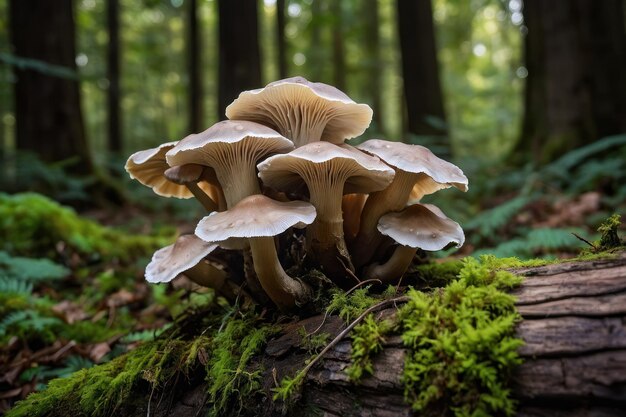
(421, 226)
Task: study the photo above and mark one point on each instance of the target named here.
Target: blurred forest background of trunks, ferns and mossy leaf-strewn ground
(527, 97)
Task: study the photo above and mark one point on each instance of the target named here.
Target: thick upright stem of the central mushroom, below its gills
(325, 239)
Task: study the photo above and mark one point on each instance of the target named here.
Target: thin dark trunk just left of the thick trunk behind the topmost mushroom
(194, 69)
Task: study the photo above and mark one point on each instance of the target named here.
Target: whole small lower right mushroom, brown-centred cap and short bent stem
(420, 226)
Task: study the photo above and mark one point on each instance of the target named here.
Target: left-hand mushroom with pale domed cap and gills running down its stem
(232, 149)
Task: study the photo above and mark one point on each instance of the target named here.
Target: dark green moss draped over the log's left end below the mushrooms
(224, 350)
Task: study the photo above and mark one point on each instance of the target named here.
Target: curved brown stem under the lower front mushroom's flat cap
(283, 290)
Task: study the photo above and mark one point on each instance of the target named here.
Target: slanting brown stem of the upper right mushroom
(392, 198)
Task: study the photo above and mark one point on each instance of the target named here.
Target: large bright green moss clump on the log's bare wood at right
(462, 343)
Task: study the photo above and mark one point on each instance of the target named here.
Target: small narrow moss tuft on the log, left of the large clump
(367, 340)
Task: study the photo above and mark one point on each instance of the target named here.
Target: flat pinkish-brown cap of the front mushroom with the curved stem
(255, 216)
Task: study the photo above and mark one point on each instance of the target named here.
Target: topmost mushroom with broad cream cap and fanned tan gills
(303, 111)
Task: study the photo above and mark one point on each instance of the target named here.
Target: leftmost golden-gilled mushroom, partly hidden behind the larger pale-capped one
(149, 167)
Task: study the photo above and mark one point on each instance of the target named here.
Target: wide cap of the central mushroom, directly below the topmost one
(322, 160)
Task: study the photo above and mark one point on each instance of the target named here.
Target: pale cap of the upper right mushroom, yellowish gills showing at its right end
(437, 173)
